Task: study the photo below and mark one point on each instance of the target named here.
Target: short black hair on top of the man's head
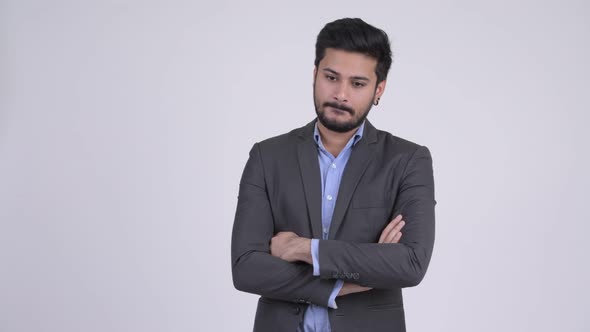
(355, 35)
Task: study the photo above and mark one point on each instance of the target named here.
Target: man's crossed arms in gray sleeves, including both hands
(279, 266)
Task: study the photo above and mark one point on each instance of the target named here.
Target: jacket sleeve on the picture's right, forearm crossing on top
(393, 265)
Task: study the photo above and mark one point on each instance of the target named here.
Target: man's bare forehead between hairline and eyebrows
(348, 63)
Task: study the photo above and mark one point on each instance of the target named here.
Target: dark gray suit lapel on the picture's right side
(360, 158)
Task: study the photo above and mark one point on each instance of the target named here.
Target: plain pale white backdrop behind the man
(125, 126)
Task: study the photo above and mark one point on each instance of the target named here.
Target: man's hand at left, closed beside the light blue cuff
(290, 247)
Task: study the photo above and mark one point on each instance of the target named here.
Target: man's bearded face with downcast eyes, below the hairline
(344, 89)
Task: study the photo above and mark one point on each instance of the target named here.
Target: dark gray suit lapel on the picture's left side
(310, 175)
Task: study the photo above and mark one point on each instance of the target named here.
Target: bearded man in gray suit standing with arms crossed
(317, 231)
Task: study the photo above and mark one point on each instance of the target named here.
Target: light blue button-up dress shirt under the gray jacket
(331, 169)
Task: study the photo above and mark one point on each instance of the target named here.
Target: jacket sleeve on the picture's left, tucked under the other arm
(254, 269)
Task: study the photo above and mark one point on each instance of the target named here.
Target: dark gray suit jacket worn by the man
(280, 190)
